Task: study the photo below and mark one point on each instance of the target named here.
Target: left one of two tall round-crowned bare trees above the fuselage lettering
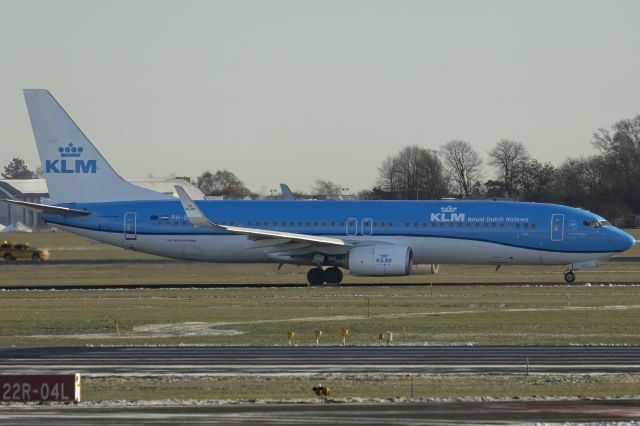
(463, 164)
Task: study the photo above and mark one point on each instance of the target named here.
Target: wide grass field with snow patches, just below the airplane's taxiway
(417, 315)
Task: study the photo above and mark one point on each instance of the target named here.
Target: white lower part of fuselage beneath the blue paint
(431, 250)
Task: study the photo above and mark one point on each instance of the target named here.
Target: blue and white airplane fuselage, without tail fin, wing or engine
(444, 232)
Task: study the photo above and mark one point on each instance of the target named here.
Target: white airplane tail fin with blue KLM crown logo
(74, 169)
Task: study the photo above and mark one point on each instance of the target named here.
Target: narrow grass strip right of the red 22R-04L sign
(345, 387)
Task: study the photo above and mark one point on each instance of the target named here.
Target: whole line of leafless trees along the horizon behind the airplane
(606, 183)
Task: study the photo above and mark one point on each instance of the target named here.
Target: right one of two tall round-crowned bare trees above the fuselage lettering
(508, 157)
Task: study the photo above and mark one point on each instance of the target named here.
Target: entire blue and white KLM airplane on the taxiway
(369, 238)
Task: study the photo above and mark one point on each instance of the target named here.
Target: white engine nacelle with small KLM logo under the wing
(381, 260)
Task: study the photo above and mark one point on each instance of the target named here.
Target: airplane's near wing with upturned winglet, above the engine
(197, 218)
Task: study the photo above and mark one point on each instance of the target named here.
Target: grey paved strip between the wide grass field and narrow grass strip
(269, 360)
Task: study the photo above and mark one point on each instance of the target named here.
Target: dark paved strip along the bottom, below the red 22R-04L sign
(418, 413)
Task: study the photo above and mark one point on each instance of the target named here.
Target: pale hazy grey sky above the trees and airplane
(292, 91)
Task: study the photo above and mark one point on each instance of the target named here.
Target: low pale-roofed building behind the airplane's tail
(34, 190)
